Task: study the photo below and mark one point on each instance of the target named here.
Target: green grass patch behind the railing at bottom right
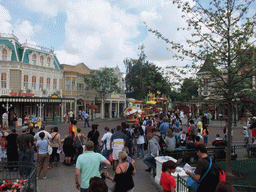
(245, 167)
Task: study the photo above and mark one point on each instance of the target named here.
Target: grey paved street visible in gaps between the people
(62, 178)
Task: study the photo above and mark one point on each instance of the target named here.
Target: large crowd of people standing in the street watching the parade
(144, 139)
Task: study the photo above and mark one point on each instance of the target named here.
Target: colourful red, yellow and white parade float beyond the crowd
(151, 107)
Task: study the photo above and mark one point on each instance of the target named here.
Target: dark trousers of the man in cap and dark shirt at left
(24, 157)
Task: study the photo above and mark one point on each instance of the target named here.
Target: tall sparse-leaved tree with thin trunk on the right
(223, 35)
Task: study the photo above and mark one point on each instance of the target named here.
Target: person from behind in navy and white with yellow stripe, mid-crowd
(117, 143)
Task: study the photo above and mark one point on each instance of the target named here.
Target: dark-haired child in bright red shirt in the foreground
(167, 180)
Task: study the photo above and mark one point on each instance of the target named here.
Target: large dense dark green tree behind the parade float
(143, 77)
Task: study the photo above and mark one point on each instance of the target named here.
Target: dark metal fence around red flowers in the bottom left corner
(10, 172)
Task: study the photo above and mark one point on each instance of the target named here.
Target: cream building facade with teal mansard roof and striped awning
(31, 80)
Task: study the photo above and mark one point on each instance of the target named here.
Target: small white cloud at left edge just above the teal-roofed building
(5, 18)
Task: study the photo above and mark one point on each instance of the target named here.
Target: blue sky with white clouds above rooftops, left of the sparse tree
(98, 33)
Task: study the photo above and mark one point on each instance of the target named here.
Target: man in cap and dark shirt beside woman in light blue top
(24, 143)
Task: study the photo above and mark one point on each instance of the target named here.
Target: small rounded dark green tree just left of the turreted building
(189, 88)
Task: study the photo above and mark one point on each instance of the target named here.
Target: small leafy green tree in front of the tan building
(103, 82)
